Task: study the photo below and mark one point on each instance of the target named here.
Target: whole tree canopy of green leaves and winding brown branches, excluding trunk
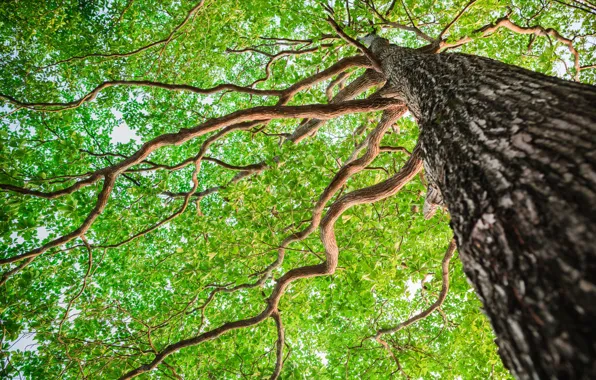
(166, 165)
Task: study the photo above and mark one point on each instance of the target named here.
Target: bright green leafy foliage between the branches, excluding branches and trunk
(161, 278)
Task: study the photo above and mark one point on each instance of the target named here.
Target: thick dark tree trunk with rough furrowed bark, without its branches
(514, 155)
